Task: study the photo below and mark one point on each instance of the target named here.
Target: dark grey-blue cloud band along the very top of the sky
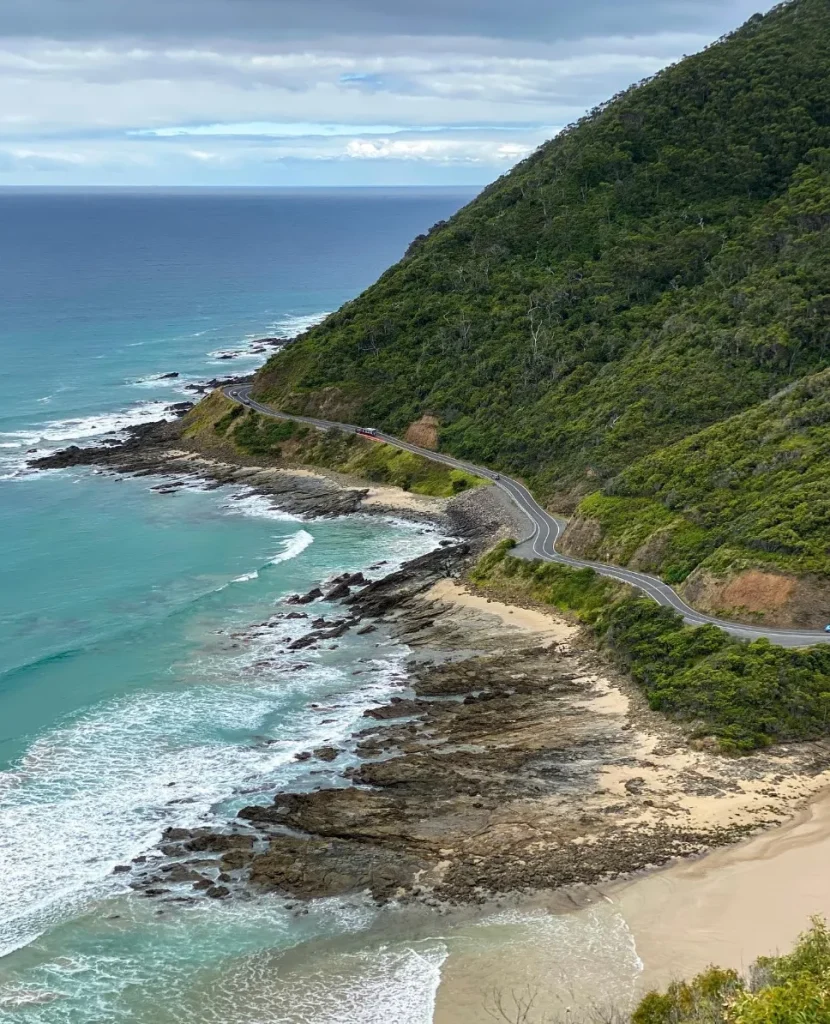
(274, 20)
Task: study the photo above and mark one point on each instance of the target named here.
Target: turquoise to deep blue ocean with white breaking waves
(133, 696)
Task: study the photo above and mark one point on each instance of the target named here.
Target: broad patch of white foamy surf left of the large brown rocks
(104, 788)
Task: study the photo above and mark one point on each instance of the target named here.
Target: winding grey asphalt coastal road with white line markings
(548, 529)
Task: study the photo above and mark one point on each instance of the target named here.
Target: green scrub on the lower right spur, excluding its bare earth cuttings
(750, 491)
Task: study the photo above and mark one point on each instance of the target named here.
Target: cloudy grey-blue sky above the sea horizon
(318, 93)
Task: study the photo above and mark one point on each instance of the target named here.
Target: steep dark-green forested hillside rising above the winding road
(661, 268)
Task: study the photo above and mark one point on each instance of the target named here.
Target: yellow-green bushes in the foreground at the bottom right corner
(791, 990)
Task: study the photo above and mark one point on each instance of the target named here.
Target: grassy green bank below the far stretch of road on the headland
(288, 443)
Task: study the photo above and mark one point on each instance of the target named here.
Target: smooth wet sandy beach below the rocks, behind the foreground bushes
(728, 909)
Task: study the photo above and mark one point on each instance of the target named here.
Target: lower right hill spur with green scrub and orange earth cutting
(749, 494)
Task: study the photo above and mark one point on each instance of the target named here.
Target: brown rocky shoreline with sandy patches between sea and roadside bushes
(514, 759)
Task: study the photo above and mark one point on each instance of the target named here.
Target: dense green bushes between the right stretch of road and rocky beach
(747, 696)
